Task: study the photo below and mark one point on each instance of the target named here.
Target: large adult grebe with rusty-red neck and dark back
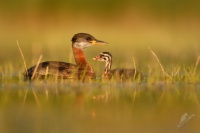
(82, 69)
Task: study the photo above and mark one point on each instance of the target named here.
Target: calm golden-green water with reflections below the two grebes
(66, 106)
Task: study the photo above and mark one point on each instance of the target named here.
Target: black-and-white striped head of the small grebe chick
(104, 56)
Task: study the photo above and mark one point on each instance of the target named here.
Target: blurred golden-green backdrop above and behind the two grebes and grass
(170, 28)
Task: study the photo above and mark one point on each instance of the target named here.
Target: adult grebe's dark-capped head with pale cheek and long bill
(83, 40)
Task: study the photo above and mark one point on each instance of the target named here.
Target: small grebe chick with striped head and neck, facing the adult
(120, 74)
